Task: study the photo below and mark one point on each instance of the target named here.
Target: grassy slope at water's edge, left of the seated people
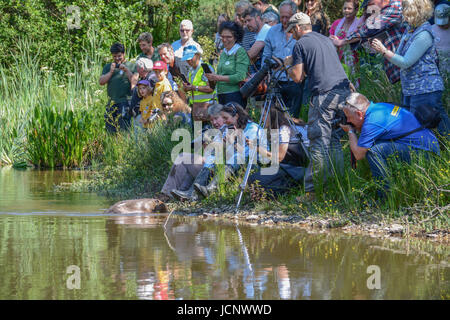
(136, 164)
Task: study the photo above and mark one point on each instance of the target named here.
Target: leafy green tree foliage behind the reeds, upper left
(61, 45)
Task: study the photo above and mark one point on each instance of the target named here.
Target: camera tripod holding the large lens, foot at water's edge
(273, 98)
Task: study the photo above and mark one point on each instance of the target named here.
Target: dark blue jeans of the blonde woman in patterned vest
(434, 99)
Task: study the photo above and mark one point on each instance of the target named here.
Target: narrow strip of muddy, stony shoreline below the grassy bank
(365, 223)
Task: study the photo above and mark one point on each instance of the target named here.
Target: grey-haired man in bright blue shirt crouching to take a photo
(386, 130)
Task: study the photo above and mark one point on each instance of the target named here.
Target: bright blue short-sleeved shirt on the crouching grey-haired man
(384, 121)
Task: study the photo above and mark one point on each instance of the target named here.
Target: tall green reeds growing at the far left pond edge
(47, 119)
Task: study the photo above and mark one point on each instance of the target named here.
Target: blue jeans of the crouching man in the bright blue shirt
(377, 157)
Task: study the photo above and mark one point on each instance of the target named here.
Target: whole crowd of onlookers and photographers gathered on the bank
(172, 81)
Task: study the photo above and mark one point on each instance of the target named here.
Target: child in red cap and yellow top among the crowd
(162, 85)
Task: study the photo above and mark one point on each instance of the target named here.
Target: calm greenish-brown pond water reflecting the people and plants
(60, 245)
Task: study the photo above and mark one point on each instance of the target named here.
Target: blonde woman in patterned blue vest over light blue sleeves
(417, 58)
